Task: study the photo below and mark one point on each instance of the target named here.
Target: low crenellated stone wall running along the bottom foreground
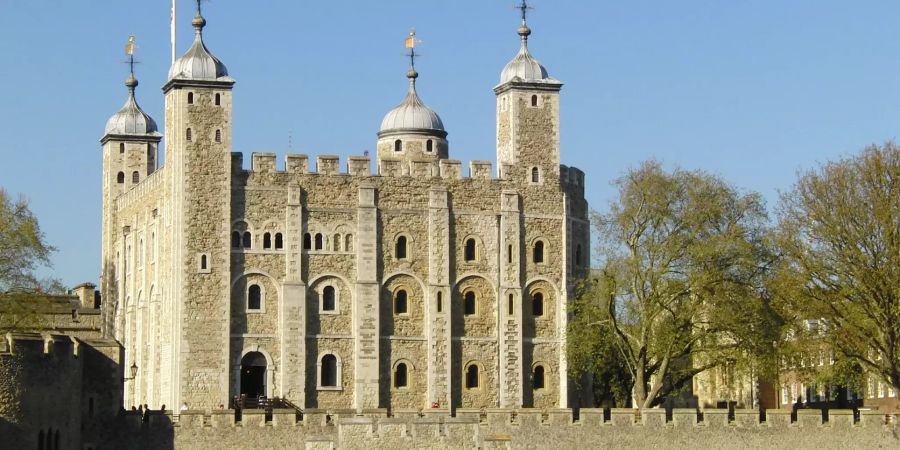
(502, 429)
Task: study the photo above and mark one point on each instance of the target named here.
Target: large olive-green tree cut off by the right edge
(839, 236)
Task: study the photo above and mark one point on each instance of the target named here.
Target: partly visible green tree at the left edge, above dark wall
(22, 245)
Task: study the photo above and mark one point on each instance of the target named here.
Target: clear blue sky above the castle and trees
(752, 90)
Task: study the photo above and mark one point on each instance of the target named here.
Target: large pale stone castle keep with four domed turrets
(412, 287)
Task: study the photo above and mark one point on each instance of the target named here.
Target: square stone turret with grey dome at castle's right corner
(527, 117)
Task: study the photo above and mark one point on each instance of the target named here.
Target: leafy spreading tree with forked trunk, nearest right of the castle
(684, 257)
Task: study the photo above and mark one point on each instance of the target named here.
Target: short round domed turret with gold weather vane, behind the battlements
(412, 131)
